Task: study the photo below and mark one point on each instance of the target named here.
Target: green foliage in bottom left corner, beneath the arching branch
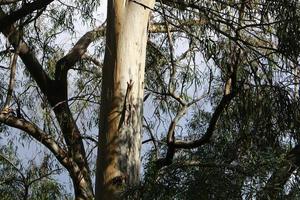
(34, 181)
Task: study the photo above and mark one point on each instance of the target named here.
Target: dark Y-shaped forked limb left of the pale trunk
(56, 93)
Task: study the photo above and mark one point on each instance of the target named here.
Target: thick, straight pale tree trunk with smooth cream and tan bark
(118, 161)
